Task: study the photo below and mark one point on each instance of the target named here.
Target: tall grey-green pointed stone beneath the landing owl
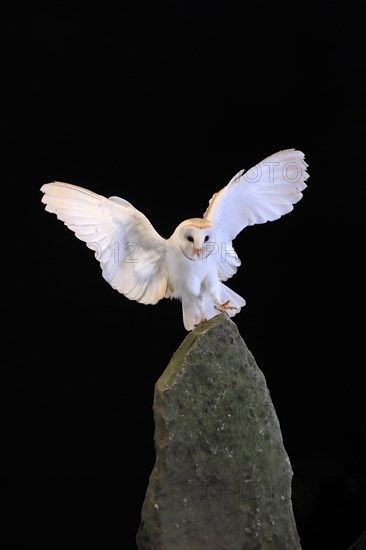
(222, 478)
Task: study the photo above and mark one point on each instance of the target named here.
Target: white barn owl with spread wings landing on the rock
(194, 262)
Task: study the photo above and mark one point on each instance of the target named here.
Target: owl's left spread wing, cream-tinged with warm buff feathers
(131, 253)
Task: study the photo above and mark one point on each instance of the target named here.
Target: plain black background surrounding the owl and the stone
(162, 106)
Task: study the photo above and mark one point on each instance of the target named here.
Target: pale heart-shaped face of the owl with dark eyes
(196, 243)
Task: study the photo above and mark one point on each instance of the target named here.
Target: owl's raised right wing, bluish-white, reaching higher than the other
(264, 193)
